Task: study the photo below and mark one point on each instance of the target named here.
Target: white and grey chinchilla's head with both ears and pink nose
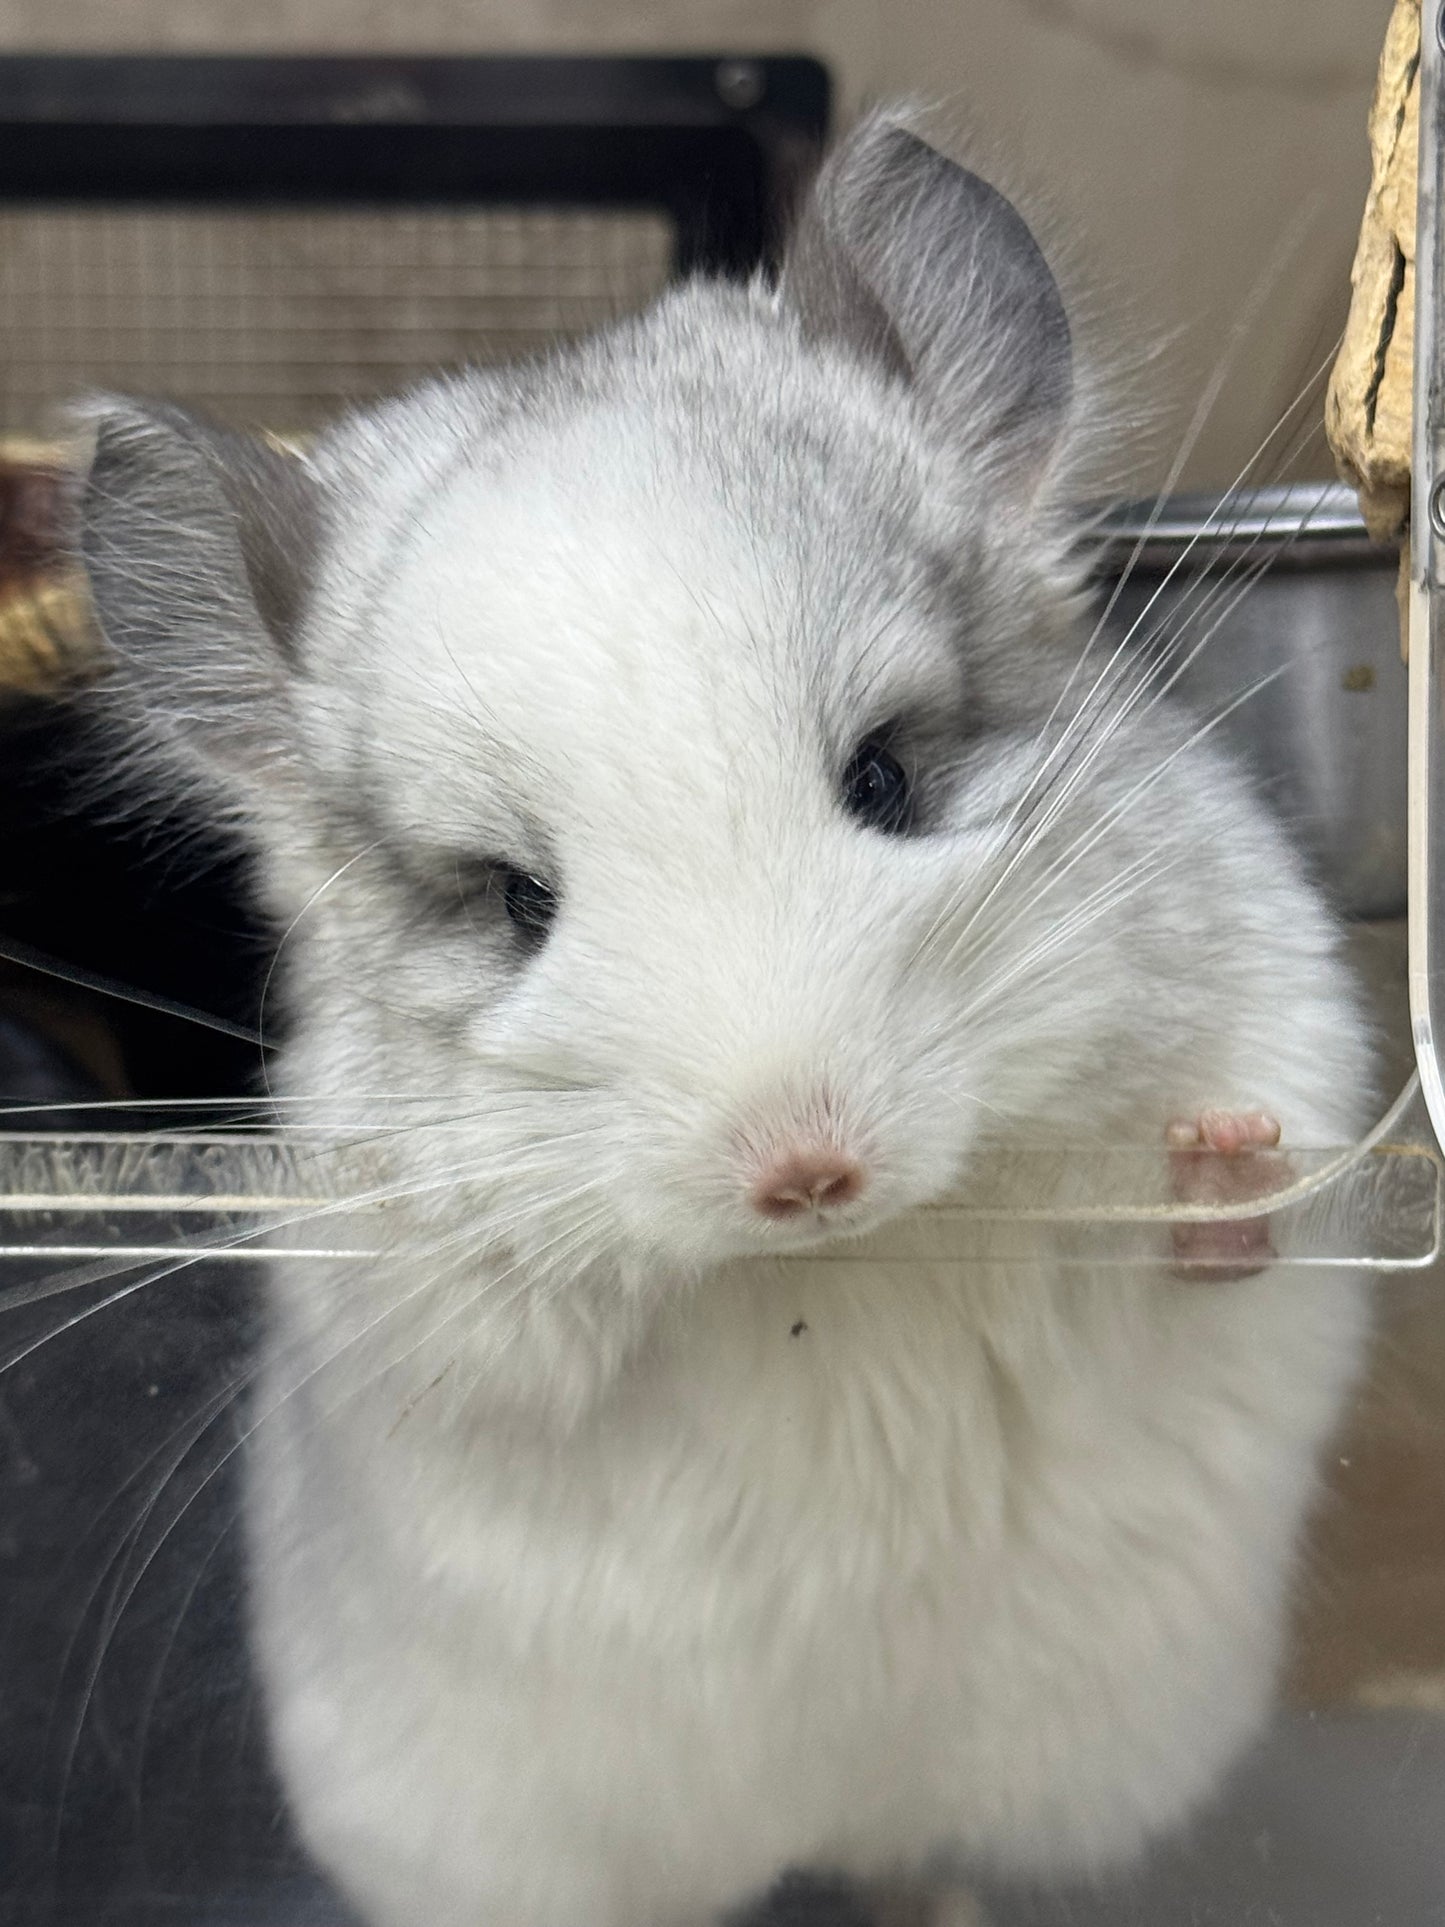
(629, 737)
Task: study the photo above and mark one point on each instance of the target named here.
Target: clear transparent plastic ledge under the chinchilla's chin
(232, 1196)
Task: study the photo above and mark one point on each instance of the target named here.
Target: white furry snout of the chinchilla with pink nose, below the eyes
(777, 1074)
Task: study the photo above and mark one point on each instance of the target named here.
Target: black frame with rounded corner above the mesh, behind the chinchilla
(718, 144)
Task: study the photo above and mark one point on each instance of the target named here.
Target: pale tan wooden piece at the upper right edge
(1369, 402)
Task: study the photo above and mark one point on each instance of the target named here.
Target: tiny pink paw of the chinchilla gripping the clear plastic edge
(1224, 1157)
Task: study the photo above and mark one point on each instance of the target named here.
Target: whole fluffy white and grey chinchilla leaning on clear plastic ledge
(664, 754)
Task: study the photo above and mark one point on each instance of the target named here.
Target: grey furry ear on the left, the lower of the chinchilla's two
(199, 548)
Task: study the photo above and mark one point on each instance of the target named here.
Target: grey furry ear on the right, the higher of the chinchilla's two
(926, 269)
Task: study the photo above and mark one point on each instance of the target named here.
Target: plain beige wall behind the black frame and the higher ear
(1180, 144)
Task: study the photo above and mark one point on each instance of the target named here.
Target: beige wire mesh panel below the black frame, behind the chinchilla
(284, 315)
